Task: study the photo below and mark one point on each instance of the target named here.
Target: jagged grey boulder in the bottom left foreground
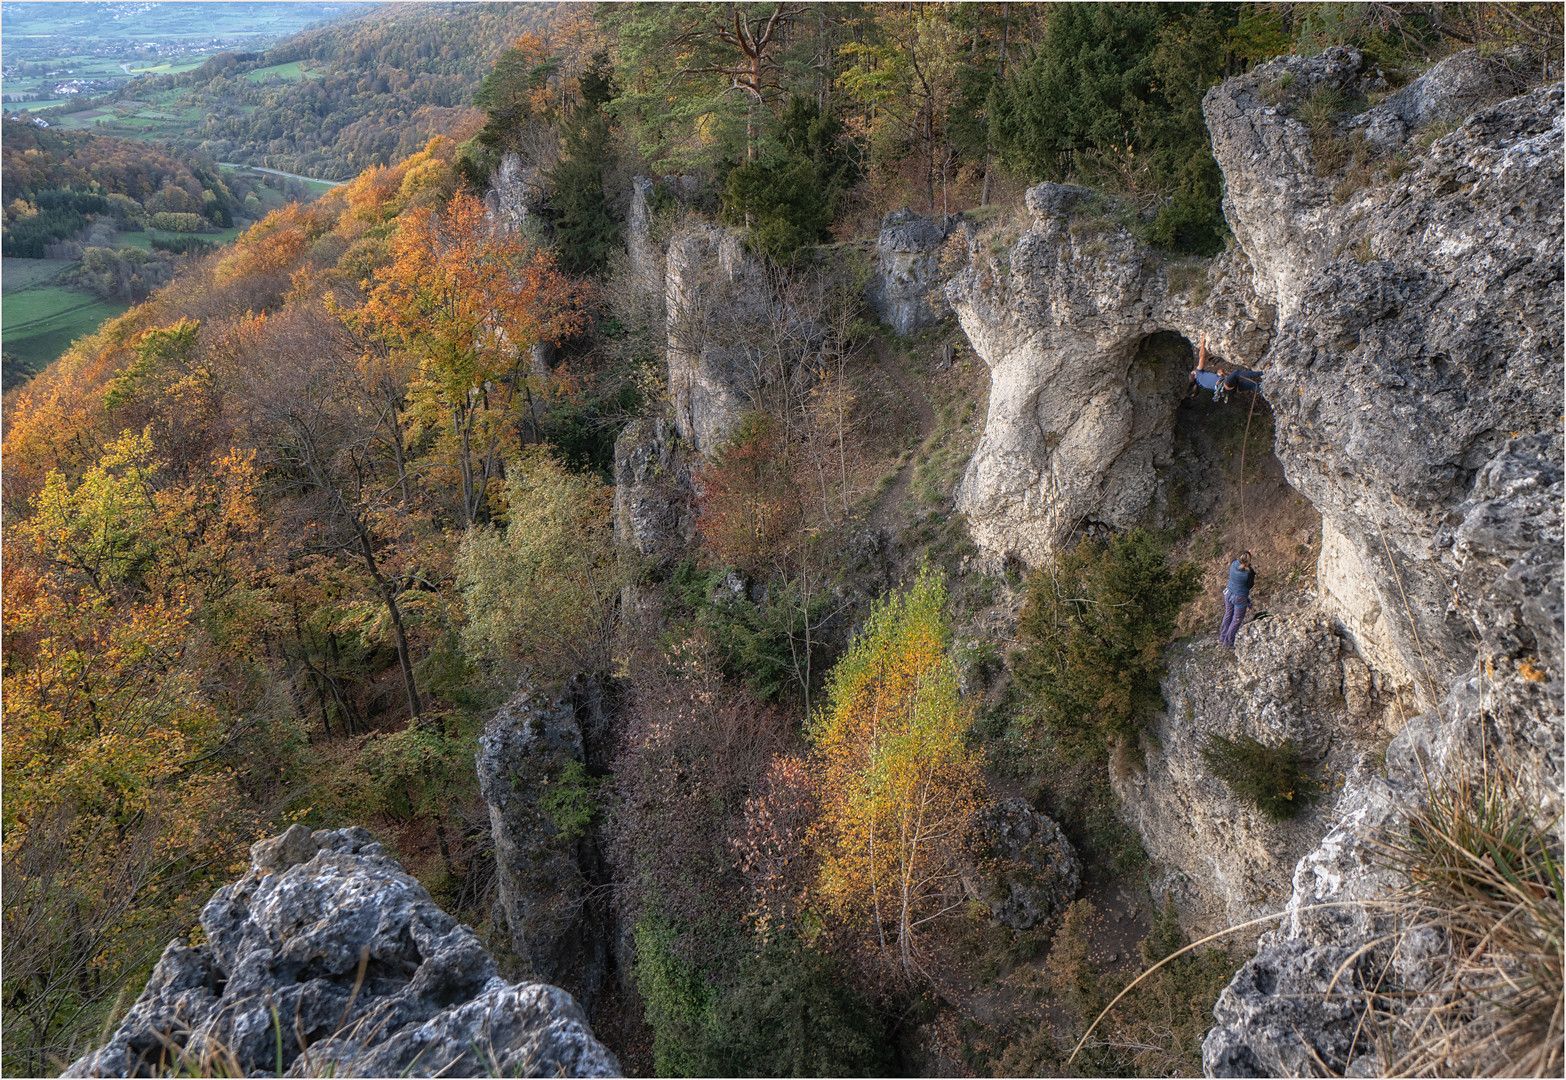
(331, 938)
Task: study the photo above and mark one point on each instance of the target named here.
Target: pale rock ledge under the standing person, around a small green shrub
(1291, 677)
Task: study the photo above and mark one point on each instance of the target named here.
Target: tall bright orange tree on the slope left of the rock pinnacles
(469, 303)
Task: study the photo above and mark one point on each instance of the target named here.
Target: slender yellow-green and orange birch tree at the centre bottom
(897, 780)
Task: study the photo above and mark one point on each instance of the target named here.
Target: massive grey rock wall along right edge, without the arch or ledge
(1416, 383)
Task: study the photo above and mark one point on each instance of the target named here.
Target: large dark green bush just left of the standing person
(1094, 636)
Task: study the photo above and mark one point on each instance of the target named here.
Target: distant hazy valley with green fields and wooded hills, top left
(294, 92)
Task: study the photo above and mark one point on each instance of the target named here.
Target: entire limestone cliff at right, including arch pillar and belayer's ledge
(1401, 286)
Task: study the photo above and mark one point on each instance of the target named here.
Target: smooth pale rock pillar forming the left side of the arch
(1078, 325)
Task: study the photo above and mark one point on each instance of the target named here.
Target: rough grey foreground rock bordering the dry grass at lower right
(1285, 1010)
